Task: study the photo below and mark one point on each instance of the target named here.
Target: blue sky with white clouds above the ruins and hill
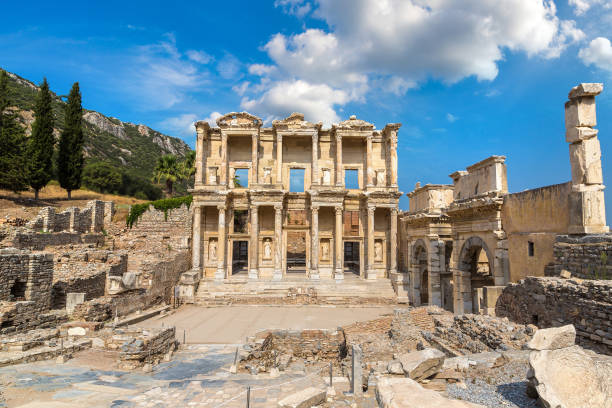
(466, 78)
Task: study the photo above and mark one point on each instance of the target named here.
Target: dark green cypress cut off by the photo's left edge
(12, 143)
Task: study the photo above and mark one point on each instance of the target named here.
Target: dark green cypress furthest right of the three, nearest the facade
(70, 157)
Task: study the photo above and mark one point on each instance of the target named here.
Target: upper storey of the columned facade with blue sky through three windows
(295, 155)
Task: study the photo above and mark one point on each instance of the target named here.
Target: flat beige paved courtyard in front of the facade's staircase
(232, 324)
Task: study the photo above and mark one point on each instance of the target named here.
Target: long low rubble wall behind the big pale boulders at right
(553, 302)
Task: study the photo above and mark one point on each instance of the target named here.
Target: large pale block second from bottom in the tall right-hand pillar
(585, 158)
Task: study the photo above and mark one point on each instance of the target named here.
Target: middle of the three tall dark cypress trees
(40, 146)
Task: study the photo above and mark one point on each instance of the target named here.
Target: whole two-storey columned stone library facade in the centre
(294, 199)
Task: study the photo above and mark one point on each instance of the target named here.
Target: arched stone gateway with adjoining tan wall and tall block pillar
(461, 243)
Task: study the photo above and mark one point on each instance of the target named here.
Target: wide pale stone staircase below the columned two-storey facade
(295, 290)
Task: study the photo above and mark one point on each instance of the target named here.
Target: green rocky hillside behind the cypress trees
(134, 148)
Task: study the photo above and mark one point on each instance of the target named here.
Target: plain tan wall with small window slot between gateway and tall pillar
(535, 216)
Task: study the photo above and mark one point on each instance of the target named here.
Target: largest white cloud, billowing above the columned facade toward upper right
(396, 44)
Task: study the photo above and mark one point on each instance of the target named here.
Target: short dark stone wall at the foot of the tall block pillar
(588, 256)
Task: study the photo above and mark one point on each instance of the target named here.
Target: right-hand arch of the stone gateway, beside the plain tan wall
(476, 269)
